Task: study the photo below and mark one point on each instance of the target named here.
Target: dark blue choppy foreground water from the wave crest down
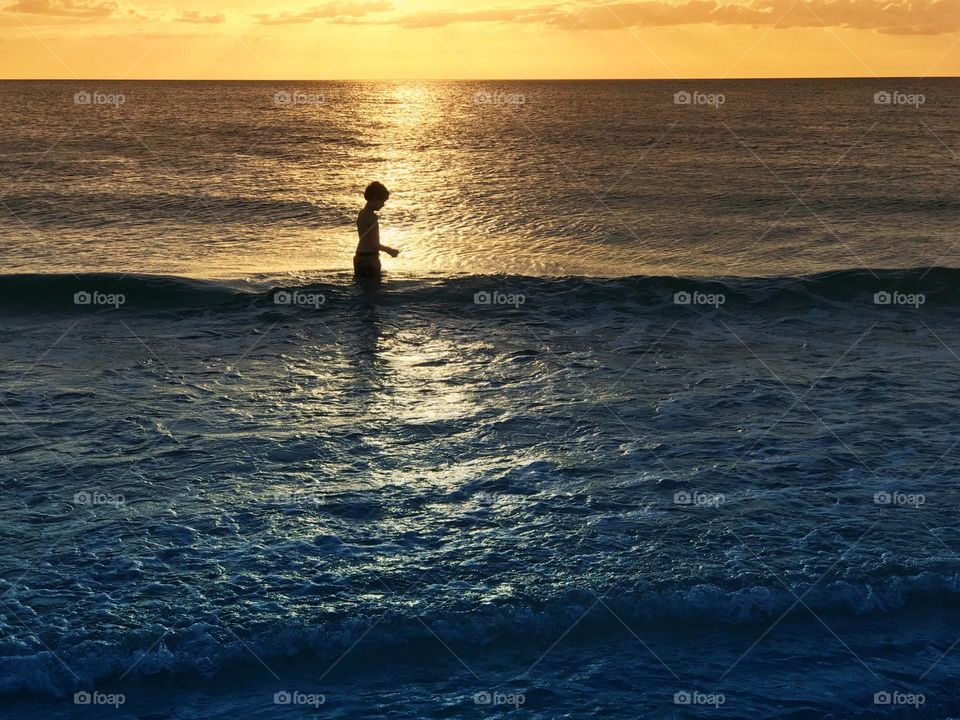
(397, 498)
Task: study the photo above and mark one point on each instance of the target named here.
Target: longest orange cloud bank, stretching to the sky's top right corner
(893, 17)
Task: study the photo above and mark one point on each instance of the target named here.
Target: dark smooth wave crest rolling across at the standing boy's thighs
(58, 292)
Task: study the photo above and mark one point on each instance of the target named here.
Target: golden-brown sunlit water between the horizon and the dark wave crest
(592, 178)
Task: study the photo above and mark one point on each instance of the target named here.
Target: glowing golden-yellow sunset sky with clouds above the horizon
(467, 39)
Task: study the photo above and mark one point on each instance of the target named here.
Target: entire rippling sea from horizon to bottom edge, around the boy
(654, 416)
